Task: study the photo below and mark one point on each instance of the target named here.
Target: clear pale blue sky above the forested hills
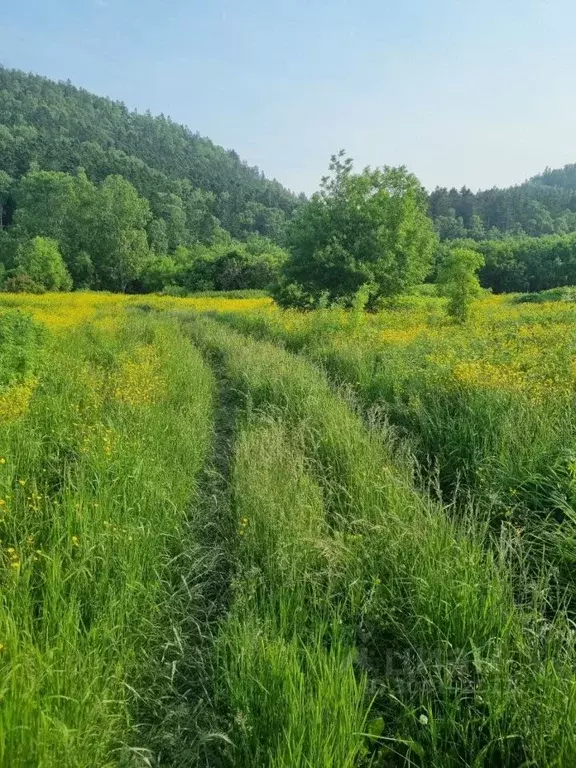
(476, 92)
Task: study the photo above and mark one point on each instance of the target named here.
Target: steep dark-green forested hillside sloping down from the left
(58, 127)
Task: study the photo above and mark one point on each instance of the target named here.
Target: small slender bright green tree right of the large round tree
(458, 280)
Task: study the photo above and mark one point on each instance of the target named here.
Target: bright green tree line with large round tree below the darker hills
(367, 230)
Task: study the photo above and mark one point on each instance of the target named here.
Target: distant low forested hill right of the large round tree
(544, 205)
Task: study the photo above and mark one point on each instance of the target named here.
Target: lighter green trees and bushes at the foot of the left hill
(68, 232)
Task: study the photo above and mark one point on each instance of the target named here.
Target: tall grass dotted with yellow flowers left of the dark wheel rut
(97, 479)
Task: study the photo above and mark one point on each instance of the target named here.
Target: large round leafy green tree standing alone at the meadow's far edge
(369, 228)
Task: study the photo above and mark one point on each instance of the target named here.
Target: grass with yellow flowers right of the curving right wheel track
(488, 408)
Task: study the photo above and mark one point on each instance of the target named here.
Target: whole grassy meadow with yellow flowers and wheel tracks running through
(236, 536)
